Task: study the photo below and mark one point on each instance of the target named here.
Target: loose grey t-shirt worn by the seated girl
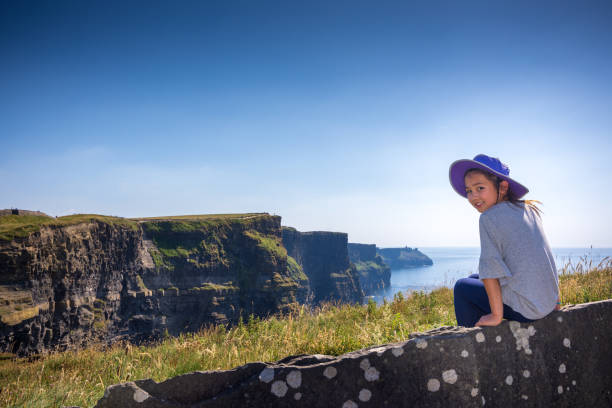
(514, 249)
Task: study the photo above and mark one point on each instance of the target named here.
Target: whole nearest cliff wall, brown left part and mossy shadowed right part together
(69, 285)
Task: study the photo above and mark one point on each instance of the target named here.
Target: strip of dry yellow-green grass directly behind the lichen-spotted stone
(79, 378)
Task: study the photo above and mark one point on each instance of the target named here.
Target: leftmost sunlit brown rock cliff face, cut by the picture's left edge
(63, 286)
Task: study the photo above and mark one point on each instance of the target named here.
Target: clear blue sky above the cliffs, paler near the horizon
(336, 115)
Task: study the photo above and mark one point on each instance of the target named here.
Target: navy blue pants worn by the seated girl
(472, 302)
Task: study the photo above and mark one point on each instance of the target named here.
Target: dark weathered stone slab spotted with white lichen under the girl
(563, 360)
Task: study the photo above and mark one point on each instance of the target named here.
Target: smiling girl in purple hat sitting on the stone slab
(517, 275)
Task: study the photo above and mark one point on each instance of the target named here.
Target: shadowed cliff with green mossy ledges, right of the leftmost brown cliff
(219, 269)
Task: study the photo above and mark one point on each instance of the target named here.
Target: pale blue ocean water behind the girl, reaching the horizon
(450, 264)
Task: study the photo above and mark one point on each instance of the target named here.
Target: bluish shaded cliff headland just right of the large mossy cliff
(324, 257)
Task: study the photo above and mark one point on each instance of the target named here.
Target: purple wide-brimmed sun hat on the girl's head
(492, 165)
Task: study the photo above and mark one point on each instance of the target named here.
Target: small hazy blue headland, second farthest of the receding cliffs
(372, 271)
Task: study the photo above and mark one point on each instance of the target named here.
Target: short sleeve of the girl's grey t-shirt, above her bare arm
(491, 264)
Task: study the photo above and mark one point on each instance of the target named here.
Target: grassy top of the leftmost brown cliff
(19, 226)
